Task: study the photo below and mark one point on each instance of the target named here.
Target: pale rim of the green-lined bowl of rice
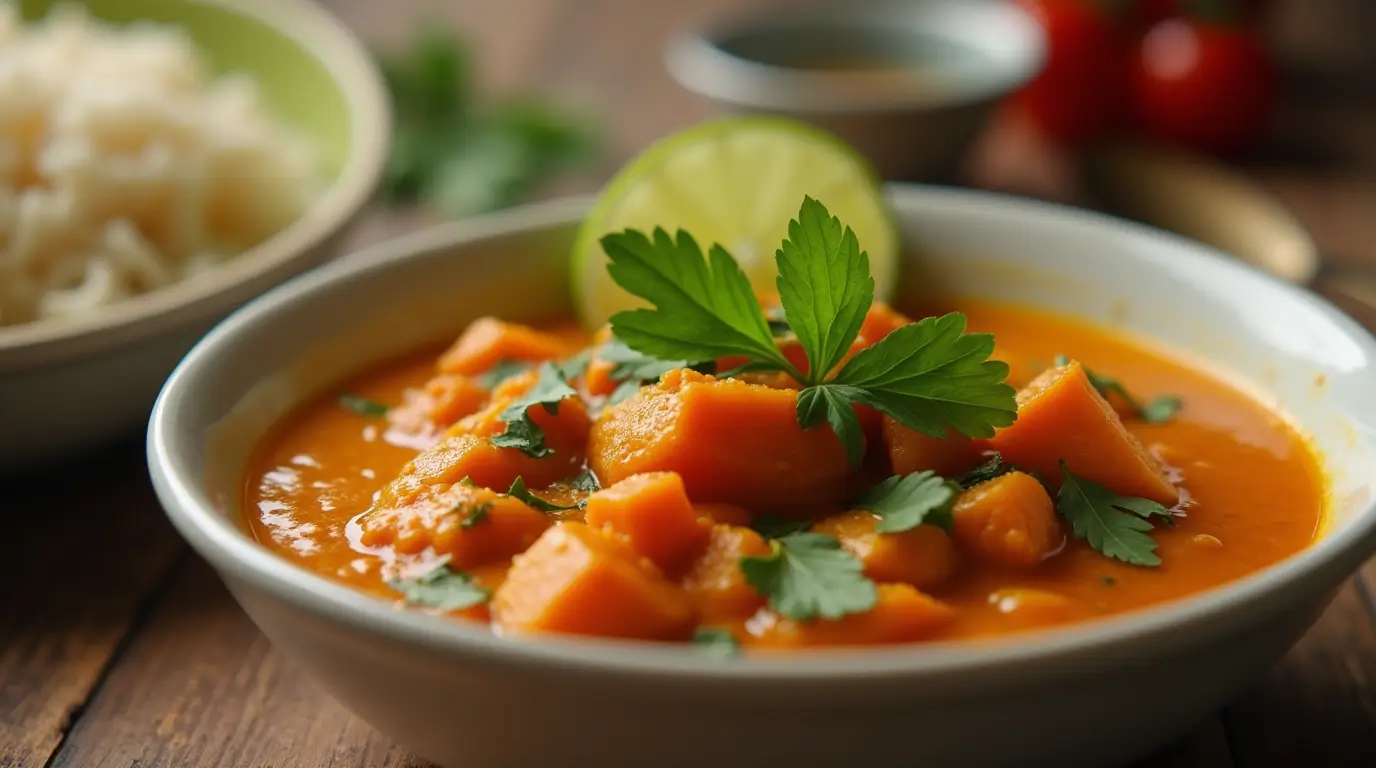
(347, 61)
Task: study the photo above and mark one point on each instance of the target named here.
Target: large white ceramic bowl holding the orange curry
(1085, 696)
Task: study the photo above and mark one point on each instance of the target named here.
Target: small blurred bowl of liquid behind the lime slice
(910, 85)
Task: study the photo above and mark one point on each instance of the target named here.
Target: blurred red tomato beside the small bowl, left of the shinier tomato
(1081, 93)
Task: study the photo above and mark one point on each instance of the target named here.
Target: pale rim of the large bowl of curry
(235, 554)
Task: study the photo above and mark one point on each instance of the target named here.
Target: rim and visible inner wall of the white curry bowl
(1284, 345)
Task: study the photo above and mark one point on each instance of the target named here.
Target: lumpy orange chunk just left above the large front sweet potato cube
(436, 518)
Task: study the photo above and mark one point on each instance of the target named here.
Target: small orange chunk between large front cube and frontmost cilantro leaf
(715, 583)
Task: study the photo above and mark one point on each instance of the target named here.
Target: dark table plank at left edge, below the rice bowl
(87, 543)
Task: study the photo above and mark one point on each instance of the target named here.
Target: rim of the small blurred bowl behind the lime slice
(698, 63)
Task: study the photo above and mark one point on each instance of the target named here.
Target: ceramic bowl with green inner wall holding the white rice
(74, 383)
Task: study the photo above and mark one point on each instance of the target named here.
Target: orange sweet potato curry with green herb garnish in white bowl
(682, 476)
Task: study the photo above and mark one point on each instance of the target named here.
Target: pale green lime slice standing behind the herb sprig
(735, 182)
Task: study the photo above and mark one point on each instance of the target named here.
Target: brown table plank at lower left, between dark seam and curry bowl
(202, 686)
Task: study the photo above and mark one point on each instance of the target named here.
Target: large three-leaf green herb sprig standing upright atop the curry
(931, 376)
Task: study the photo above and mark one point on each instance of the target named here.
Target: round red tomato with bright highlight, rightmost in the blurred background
(1205, 86)
